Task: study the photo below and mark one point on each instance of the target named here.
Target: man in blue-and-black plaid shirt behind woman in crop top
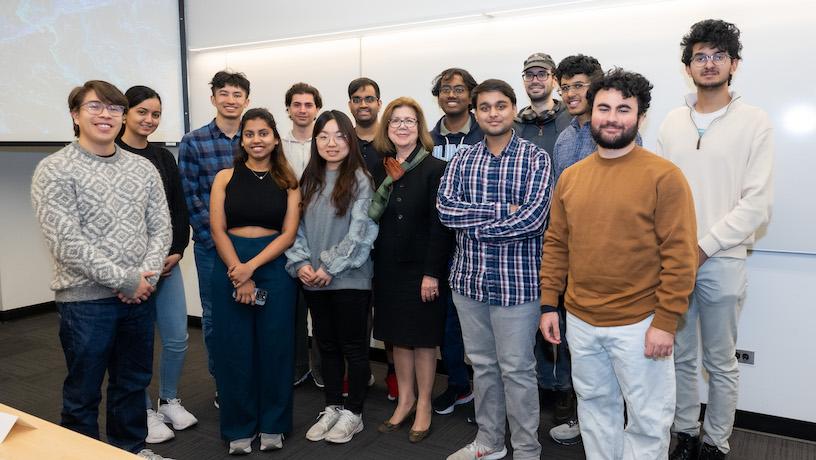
(202, 153)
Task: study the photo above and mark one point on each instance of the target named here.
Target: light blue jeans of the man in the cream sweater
(714, 305)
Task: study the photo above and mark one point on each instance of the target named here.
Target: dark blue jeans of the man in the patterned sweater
(107, 335)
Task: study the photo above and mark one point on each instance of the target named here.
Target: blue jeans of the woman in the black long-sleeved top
(171, 318)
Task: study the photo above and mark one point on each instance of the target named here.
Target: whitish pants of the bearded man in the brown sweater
(608, 367)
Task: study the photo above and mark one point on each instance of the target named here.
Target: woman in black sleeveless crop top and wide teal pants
(254, 217)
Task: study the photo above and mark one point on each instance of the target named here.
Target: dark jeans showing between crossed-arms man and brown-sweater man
(553, 367)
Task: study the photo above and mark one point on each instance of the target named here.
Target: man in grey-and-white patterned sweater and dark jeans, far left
(105, 219)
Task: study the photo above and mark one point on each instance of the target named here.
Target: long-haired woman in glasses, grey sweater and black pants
(331, 258)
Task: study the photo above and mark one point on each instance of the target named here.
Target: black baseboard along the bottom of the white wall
(754, 421)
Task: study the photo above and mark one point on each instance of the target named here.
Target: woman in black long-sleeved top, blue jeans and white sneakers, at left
(141, 120)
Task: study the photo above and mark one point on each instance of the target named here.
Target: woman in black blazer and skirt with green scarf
(410, 259)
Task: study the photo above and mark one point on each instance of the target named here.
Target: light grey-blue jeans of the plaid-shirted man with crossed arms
(499, 343)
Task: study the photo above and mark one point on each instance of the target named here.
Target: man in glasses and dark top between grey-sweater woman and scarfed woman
(364, 105)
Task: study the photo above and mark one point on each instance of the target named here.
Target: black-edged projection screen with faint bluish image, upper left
(48, 48)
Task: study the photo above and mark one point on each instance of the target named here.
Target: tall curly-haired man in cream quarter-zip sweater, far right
(725, 148)
